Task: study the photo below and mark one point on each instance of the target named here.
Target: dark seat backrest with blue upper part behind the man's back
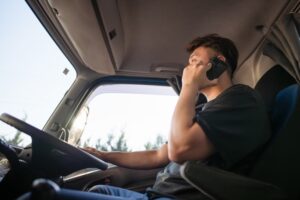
(279, 164)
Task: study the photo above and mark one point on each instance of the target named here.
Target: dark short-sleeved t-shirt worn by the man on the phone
(236, 123)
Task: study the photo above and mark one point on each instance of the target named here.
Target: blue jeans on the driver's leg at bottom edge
(115, 193)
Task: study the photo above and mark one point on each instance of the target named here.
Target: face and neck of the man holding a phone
(201, 56)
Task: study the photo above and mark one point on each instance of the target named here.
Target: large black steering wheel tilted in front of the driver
(51, 155)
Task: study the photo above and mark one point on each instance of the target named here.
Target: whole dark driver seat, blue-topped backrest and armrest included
(275, 174)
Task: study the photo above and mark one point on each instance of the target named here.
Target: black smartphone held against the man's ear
(217, 68)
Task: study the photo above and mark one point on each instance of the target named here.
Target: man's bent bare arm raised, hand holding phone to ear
(187, 139)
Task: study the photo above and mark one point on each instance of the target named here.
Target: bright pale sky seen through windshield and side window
(32, 83)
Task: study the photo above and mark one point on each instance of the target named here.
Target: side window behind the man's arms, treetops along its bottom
(124, 118)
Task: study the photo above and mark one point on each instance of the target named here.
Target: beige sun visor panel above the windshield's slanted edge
(82, 27)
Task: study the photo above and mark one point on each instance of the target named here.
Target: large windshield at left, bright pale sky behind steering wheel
(34, 73)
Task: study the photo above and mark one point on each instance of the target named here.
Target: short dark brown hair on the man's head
(221, 45)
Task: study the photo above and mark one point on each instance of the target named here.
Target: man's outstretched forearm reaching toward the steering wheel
(135, 160)
